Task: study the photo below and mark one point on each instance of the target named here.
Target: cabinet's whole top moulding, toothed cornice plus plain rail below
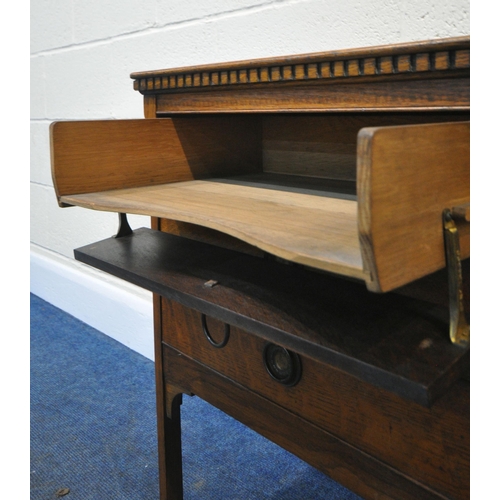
(426, 75)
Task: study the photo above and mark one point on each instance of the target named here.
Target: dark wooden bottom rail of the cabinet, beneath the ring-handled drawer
(363, 474)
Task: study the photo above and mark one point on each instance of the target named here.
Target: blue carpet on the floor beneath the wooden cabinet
(93, 429)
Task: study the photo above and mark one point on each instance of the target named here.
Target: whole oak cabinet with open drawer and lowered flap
(308, 255)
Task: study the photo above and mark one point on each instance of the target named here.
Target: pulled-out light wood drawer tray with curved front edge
(353, 194)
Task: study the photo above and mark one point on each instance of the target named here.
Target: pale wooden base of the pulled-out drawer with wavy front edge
(318, 231)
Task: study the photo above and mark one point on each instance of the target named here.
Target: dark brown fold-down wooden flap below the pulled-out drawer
(377, 338)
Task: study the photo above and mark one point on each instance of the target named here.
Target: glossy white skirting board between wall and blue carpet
(116, 308)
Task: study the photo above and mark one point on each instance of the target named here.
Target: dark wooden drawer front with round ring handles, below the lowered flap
(371, 419)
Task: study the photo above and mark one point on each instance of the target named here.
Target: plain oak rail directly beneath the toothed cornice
(413, 95)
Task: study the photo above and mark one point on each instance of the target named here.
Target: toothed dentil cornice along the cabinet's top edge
(437, 57)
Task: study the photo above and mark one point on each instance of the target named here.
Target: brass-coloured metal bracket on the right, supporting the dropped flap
(459, 325)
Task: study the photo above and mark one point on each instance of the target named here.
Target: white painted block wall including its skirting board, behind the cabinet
(82, 53)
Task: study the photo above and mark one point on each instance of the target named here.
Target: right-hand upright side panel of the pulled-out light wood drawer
(407, 176)
